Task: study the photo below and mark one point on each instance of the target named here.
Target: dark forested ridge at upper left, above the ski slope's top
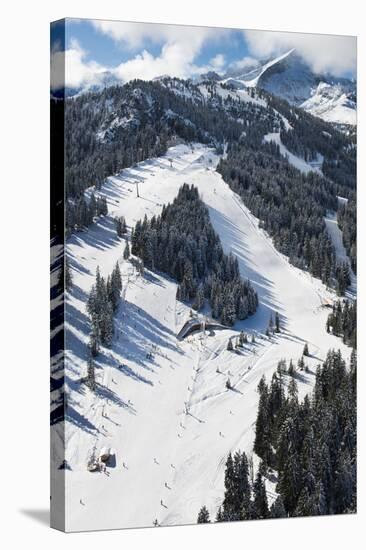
(98, 145)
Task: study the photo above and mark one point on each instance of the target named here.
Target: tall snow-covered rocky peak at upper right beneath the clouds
(290, 77)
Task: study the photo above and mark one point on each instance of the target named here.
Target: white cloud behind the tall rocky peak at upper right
(324, 53)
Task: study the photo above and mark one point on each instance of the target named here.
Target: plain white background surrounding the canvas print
(24, 290)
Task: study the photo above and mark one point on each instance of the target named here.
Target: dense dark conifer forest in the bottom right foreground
(311, 445)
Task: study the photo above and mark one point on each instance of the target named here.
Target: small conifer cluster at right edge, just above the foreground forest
(342, 322)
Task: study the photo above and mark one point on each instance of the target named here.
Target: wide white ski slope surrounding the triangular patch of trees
(162, 404)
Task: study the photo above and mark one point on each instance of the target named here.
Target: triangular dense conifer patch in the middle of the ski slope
(182, 243)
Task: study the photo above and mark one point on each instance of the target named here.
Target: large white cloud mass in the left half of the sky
(180, 46)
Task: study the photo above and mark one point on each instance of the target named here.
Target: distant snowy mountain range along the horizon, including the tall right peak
(287, 76)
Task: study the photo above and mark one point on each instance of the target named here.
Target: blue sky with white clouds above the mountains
(141, 50)
